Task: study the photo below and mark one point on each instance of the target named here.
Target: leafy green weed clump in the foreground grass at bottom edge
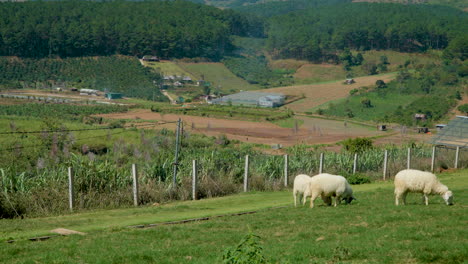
(248, 251)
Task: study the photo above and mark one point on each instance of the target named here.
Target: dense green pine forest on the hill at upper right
(317, 34)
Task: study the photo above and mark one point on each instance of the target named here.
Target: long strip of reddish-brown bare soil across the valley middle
(313, 131)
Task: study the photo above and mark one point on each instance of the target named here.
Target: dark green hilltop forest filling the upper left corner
(169, 29)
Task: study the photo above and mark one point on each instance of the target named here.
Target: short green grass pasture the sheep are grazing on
(371, 230)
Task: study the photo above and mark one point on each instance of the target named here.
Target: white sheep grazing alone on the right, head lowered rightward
(421, 182)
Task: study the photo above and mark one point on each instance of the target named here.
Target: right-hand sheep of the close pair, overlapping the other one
(328, 185)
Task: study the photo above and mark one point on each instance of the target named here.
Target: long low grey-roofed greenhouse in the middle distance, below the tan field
(252, 99)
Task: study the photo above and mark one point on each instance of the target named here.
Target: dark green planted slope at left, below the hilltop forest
(113, 73)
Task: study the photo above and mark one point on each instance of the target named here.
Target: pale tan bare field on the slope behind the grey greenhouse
(319, 94)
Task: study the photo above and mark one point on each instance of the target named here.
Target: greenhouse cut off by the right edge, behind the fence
(454, 134)
